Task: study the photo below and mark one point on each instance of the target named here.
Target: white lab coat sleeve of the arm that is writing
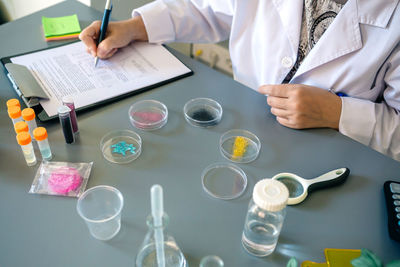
(187, 20)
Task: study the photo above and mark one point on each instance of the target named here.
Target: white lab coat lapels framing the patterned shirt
(342, 37)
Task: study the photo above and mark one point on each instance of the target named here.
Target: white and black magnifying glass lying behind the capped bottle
(299, 187)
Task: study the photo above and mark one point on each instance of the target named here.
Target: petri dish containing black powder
(202, 112)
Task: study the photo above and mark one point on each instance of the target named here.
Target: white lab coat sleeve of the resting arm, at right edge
(377, 124)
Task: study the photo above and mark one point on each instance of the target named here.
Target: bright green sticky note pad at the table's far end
(61, 25)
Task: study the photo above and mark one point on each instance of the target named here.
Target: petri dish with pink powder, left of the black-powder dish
(148, 115)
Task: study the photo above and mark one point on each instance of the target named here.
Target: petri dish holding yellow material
(239, 145)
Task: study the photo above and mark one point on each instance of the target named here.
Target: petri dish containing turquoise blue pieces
(121, 146)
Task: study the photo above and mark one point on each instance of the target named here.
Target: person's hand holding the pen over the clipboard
(119, 34)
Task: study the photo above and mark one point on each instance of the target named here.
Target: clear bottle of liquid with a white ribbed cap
(265, 215)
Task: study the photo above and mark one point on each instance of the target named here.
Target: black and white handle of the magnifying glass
(328, 179)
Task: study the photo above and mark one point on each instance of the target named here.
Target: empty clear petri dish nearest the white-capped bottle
(224, 181)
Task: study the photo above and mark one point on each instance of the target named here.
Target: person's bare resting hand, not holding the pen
(301, 106)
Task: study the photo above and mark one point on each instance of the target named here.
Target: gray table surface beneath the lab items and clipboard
(40, 230)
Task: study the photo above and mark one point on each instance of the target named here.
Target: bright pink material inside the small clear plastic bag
(64, 180)
